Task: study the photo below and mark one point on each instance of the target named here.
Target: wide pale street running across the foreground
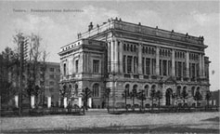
(206, 122)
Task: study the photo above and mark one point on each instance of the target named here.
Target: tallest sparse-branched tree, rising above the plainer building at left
(32, 58)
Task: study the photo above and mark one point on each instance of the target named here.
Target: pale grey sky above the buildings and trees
(58, 28)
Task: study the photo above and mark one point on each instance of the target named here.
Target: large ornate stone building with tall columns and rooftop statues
(122, 56)
